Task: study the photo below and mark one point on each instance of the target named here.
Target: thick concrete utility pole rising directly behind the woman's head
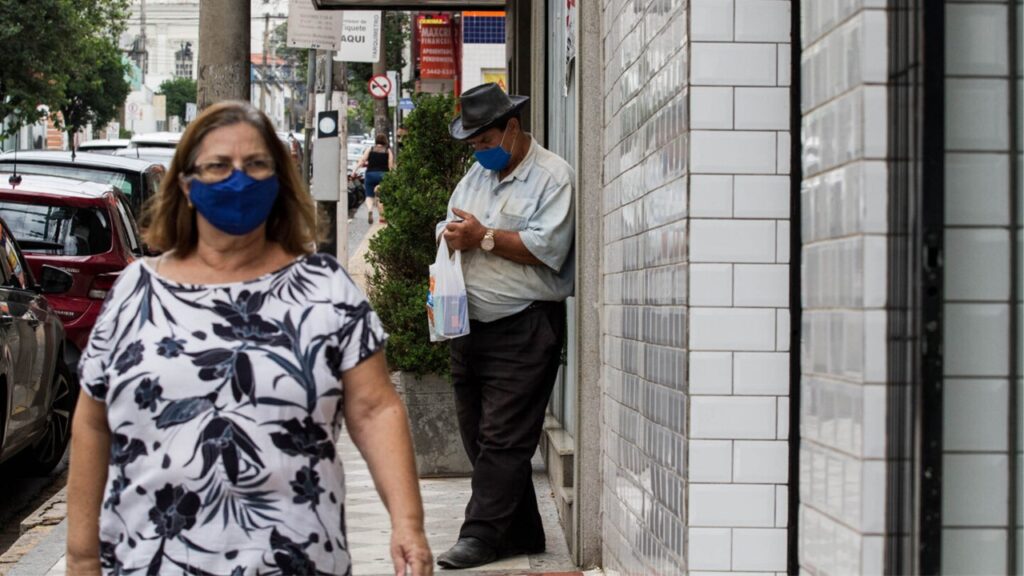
(224, 52)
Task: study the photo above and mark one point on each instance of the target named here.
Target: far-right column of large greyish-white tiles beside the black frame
(976, 465)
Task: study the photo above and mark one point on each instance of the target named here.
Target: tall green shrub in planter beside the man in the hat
(415, 197)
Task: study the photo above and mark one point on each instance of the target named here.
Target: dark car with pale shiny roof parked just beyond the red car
(140, 180)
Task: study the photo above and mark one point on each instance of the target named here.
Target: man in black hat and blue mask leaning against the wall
(513, 218)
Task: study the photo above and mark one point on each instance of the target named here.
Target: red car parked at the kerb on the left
(84, 229)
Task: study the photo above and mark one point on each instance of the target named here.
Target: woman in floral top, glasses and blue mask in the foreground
(218, 379)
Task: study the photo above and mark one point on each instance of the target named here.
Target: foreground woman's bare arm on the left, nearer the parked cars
(91, 449)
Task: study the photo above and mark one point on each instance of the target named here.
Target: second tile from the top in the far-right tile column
(976, 114)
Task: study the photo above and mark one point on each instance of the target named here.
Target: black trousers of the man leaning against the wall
(503, 374)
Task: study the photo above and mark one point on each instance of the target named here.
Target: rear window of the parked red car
(58, 231)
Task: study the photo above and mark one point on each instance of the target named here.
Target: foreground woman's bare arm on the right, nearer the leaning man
(376, 421)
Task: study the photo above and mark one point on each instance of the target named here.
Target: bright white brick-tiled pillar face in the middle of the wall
(739, 285)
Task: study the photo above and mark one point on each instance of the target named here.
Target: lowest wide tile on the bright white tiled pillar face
(732, 506)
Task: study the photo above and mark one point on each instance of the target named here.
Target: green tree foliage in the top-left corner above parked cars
(62, 55)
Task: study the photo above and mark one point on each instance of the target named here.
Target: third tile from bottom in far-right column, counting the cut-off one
(976, 415)
